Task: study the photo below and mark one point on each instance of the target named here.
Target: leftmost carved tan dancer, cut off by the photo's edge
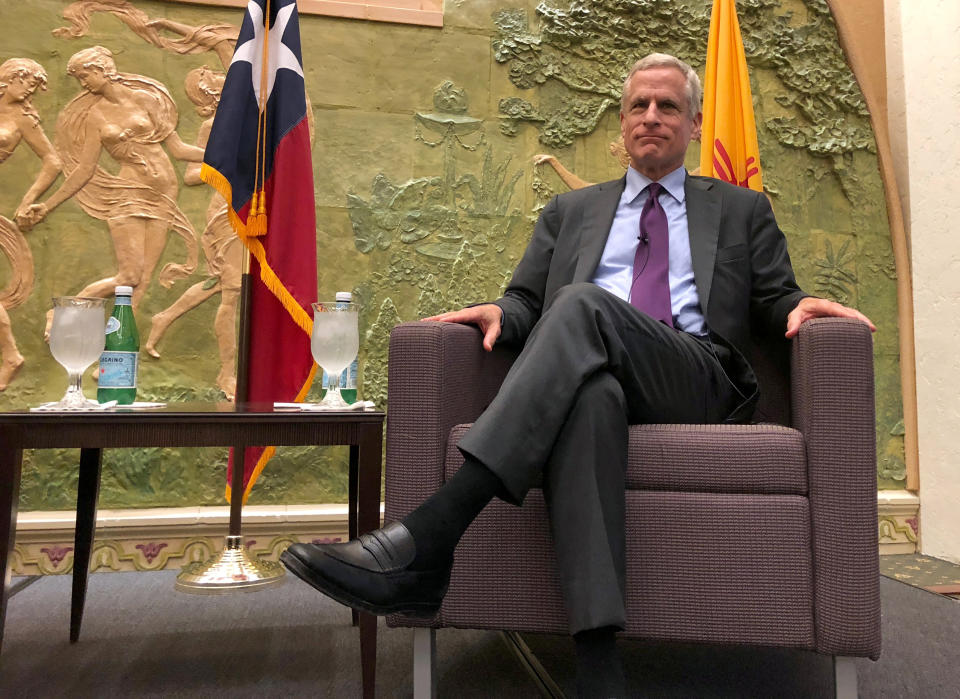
(19, 80)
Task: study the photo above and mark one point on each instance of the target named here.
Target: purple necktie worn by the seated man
(650, 291)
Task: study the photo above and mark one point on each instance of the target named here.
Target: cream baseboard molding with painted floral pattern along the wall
(158, 538)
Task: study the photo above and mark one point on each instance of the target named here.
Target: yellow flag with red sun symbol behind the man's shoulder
(728, 149)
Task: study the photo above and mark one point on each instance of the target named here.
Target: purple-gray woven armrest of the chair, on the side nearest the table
(438, 376)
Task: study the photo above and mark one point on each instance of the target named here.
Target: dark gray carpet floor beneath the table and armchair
(141, 638)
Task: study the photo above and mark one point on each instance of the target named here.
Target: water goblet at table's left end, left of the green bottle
(76, 341)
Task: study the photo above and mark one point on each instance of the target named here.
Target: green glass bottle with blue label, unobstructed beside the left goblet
(121, 349)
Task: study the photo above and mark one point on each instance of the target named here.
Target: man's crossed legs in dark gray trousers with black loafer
(592, 365)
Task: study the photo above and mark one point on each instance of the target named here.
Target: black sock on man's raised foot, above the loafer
(441, 519)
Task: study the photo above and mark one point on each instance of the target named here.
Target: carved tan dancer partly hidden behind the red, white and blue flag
(220, 246)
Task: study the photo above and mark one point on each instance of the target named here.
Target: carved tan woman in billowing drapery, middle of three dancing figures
(132, 118)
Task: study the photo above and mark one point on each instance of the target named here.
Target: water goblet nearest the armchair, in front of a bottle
(334, 344)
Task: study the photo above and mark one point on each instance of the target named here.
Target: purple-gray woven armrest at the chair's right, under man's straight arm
(832, 390)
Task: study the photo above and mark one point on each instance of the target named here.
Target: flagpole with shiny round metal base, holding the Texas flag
(234, 569)
